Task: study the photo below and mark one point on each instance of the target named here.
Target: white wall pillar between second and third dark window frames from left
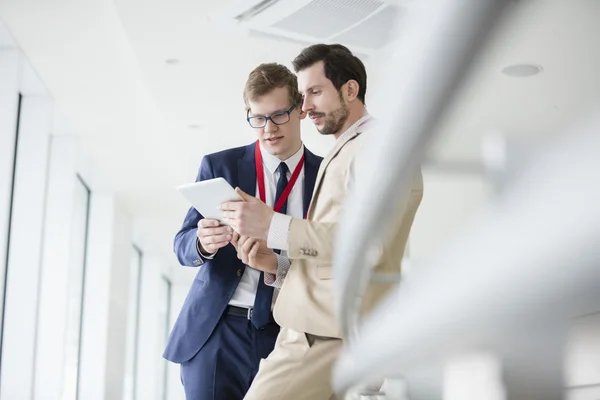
(105, 312)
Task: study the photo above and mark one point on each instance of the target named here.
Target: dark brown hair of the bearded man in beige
(339, 63)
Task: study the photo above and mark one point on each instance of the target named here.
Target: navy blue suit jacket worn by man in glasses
(218, 278)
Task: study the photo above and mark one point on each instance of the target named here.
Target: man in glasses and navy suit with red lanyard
(226, 326)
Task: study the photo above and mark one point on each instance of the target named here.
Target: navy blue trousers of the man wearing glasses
(225, 366)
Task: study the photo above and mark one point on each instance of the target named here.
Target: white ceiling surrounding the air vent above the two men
(147, 123)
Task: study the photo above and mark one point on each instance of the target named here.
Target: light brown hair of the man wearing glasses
(267, 77)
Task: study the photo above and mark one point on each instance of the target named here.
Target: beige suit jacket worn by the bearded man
(305, 302)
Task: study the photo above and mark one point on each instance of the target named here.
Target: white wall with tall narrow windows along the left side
(42, 246)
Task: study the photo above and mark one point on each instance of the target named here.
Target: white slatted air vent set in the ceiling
(363, 25)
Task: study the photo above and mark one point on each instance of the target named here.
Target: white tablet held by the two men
(207, 196)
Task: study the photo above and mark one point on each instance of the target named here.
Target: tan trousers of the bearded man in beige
(298, 368)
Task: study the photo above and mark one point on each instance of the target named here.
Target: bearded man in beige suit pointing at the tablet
(333, 82)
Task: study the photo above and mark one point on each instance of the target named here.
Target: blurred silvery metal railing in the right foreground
(515, 276)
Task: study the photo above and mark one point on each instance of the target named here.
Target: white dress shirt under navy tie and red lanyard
(246, 291)
